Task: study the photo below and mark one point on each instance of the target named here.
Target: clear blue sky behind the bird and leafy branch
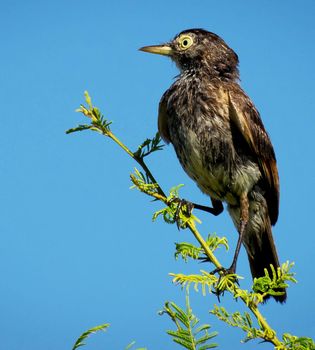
(78, 248)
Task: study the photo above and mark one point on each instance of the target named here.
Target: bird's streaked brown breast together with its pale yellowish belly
(204, 145)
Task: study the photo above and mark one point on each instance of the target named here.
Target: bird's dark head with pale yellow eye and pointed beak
(198, 49)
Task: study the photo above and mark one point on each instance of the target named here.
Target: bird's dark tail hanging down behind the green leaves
(259, 243)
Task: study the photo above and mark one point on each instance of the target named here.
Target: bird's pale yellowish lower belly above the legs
(216, 172)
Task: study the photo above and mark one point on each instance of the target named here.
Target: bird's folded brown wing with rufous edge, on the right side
(245, 116)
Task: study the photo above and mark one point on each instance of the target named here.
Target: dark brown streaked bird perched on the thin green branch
(221, 142)
